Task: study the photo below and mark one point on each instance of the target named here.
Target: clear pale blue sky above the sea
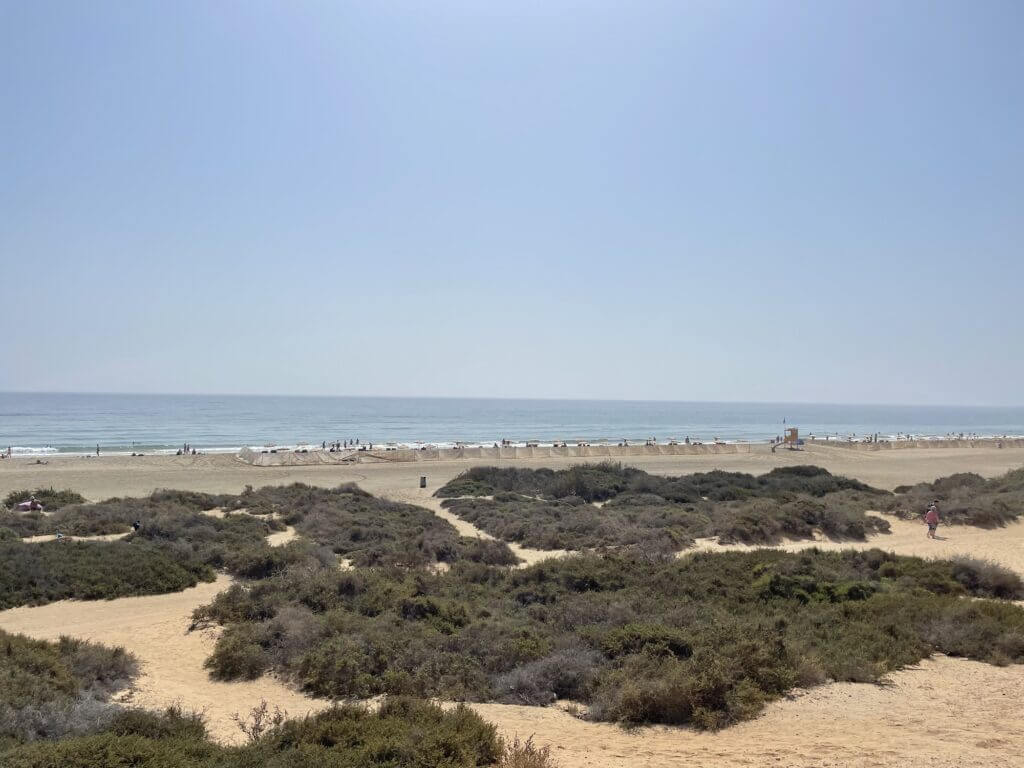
(788, 201)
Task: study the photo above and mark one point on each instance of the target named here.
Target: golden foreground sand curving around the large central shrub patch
(944, 713)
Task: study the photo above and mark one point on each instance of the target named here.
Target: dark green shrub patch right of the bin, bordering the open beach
(549, 509)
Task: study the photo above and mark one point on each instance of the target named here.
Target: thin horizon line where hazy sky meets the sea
(492, 398)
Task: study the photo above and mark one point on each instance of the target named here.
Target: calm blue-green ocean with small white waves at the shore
(51, 423)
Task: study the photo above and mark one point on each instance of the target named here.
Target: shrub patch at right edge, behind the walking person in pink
(965, 499)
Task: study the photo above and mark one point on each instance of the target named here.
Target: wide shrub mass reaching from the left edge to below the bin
(177, 544)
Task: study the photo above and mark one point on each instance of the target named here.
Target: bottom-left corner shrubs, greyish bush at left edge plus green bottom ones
(56, 710)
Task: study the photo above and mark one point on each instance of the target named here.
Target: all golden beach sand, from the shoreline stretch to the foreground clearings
(946, 712)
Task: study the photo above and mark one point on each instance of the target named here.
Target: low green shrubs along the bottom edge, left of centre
(403, 734)
